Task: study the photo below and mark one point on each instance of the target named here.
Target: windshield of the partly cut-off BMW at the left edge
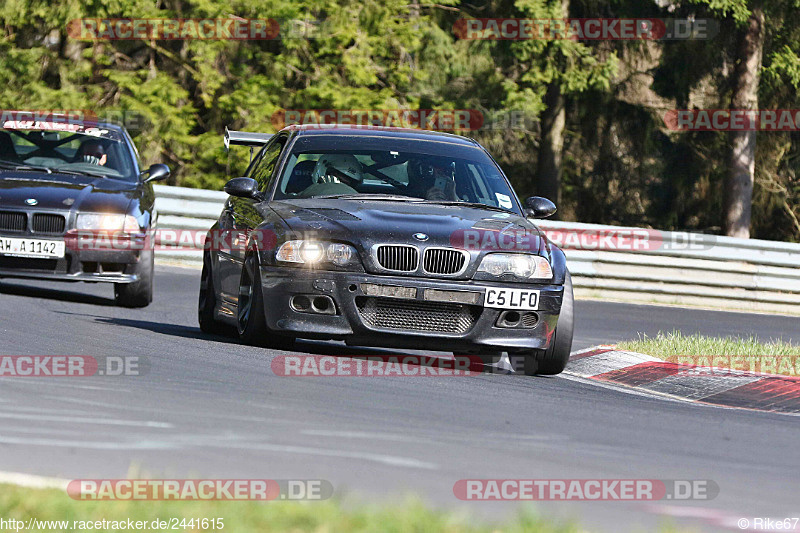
(66, 148)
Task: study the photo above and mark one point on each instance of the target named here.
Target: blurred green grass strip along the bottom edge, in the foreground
(243, 516)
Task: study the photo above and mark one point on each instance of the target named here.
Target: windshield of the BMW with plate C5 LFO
(398, 169)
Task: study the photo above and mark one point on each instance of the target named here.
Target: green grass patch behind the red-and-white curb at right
(772, 357)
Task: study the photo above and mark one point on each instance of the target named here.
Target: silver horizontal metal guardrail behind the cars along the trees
(659, 267)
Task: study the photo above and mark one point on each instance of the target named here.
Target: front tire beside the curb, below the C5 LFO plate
(554, 359)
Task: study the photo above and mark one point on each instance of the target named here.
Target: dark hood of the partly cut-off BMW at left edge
(60, 191)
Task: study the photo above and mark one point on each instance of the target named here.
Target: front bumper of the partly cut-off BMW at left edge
(91, 265)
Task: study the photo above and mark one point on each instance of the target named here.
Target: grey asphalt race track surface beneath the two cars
(210, 407)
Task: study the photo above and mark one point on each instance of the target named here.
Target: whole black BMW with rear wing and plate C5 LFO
(386, 237)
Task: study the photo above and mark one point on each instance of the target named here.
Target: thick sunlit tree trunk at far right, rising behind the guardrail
(738, 194)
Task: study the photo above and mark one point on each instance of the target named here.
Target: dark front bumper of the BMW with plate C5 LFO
(349, 323)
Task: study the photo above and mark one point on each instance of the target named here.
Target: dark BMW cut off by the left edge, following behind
(75, 206)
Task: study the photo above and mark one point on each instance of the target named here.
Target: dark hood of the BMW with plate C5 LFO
(369, 222)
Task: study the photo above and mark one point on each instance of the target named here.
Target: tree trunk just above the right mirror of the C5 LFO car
(548, 165)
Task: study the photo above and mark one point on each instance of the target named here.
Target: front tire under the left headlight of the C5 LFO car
(250, 319)
